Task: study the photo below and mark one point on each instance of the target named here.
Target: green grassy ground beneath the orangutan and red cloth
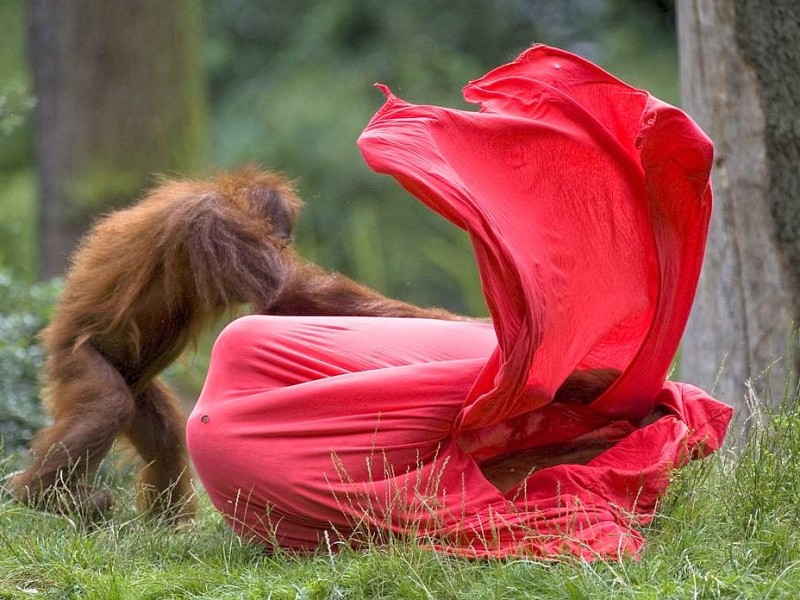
(730, 528)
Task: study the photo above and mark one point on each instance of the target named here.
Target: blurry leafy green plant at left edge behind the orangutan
(24, 311)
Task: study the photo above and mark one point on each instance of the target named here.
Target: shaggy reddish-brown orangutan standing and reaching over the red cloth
(142, 285)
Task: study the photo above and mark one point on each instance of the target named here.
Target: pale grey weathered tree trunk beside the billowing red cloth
(740, 71)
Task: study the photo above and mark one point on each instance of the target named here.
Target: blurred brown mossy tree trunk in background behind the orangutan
(120, 96)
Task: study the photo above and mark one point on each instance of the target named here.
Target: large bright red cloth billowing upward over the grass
(587, 202)
